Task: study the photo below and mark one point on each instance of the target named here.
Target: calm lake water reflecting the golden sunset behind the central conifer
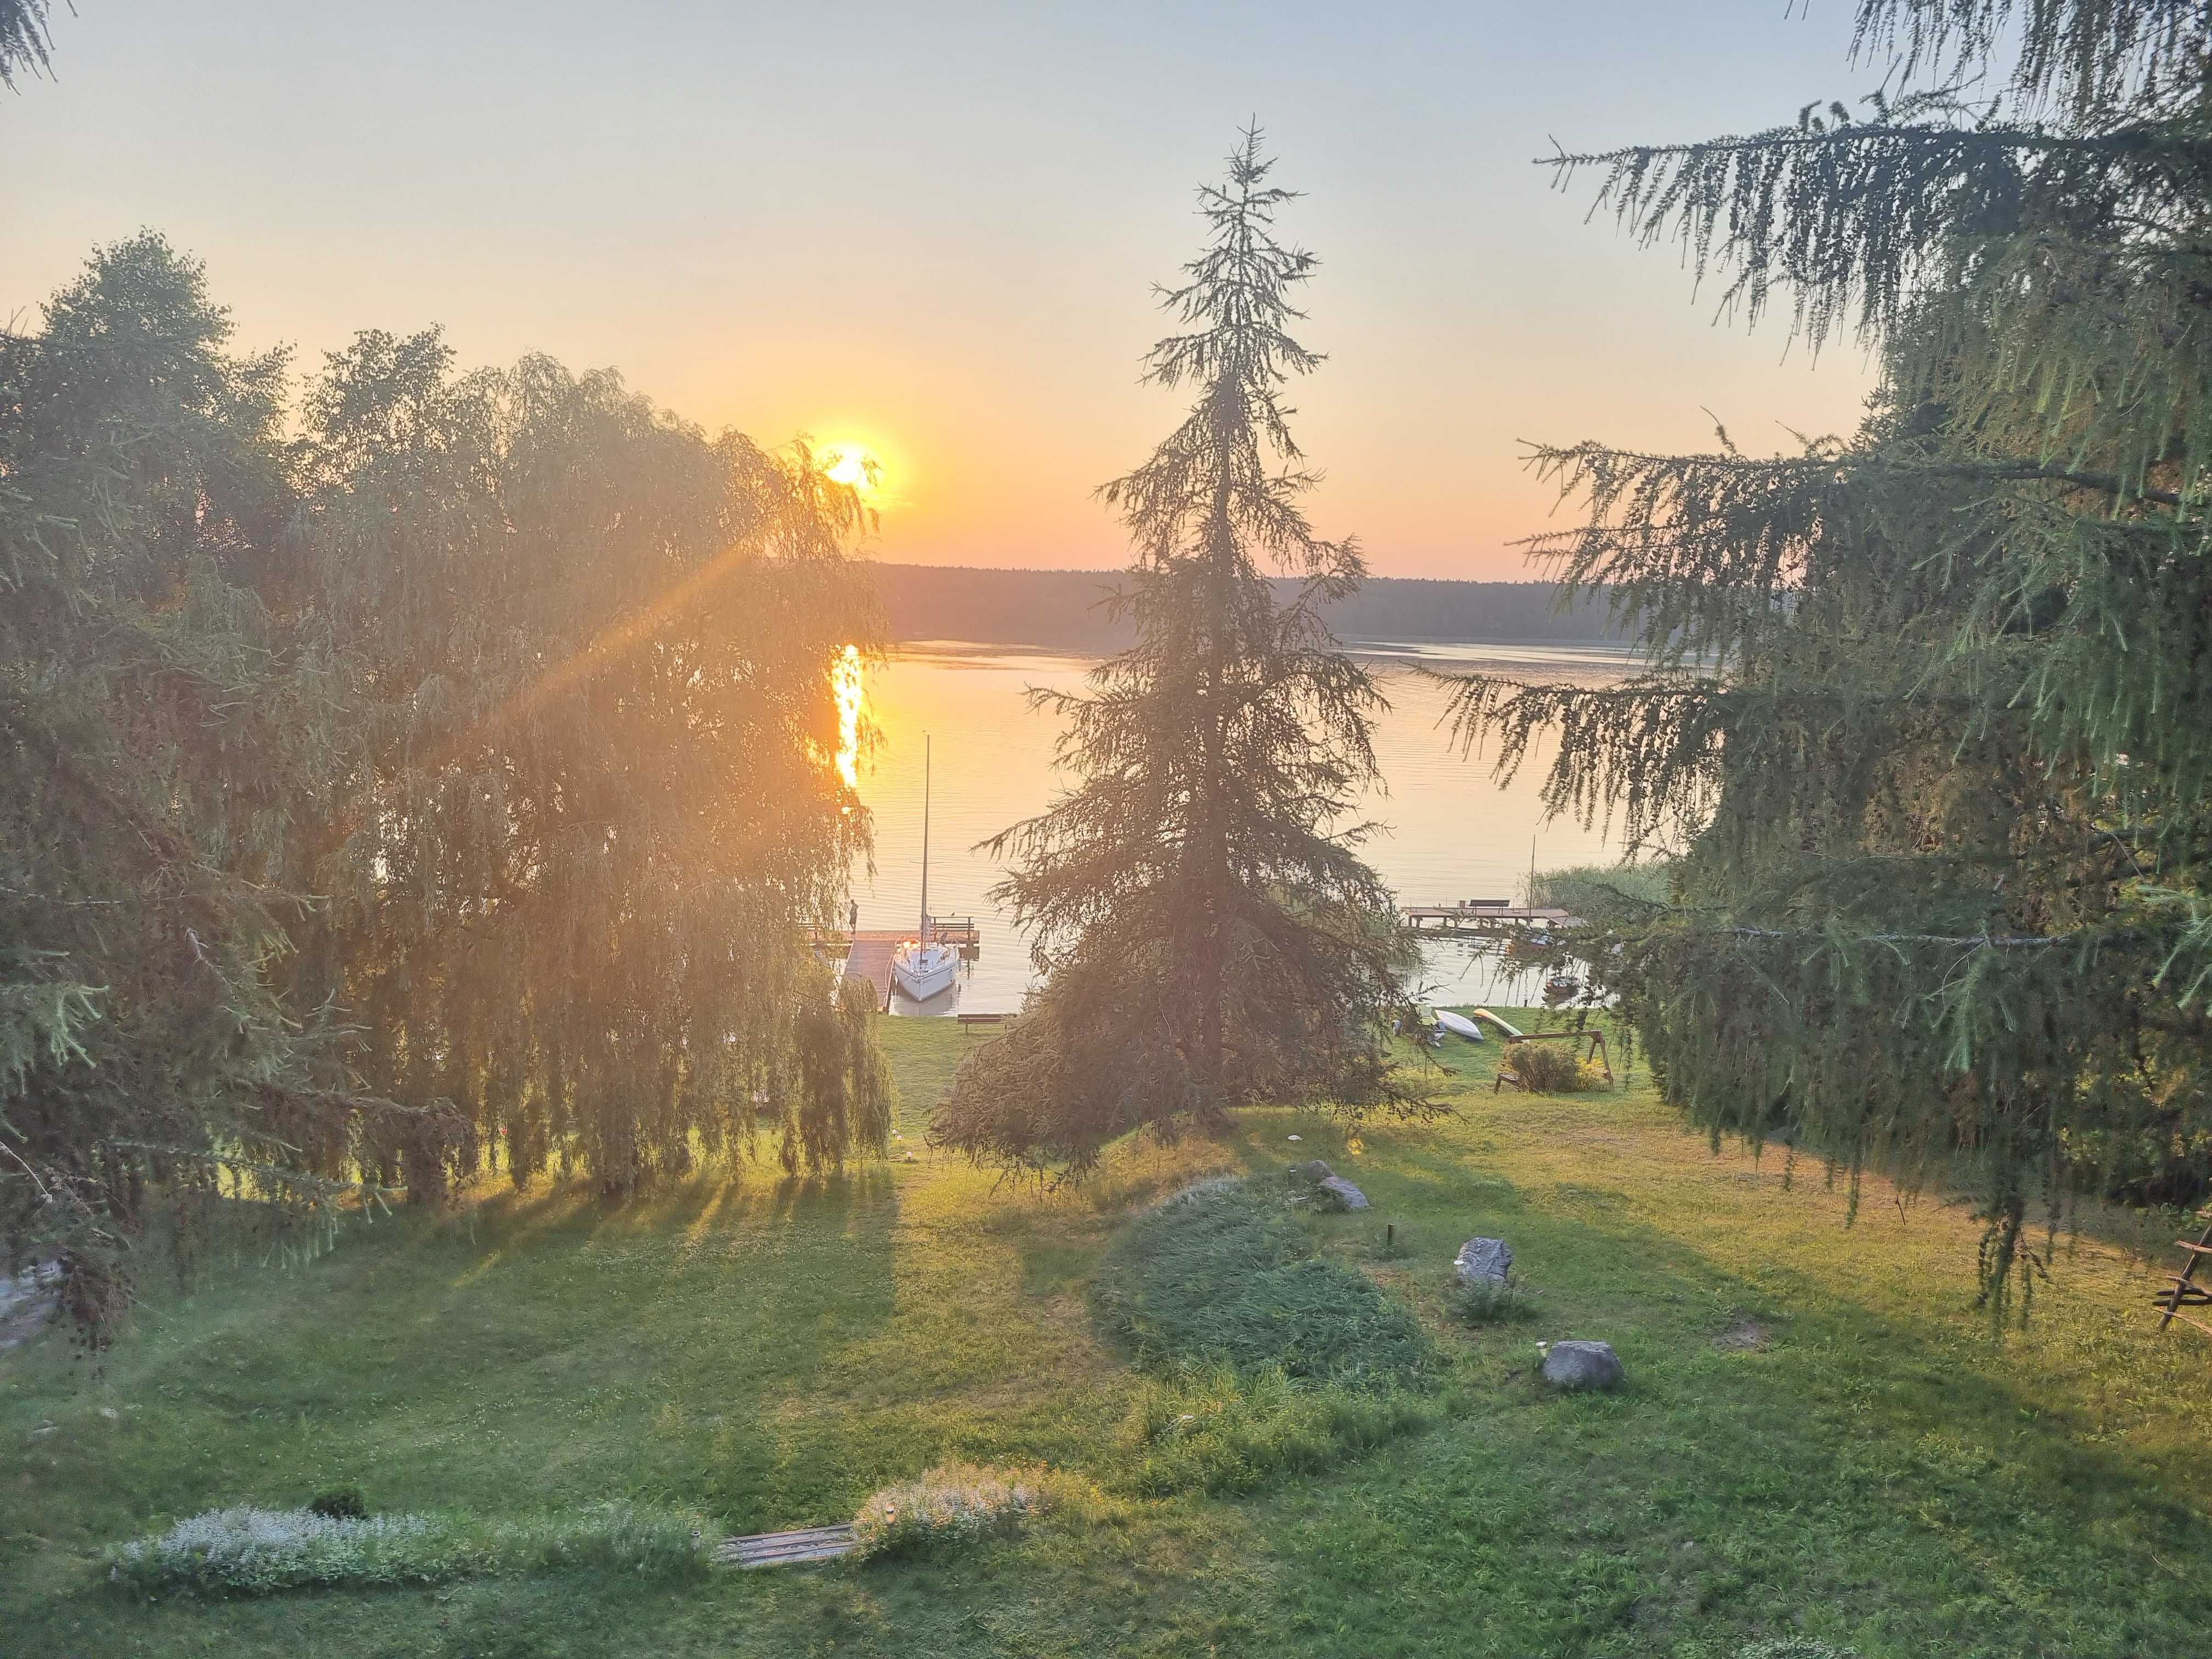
(1450, 828)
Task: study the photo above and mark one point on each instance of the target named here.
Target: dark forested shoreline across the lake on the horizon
(1063, 609)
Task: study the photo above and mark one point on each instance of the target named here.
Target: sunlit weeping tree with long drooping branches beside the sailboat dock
(592, 802)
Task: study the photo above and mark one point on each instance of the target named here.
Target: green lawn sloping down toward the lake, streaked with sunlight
(1819, 1432)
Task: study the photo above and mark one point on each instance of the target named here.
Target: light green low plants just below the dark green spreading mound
(1222, 1432)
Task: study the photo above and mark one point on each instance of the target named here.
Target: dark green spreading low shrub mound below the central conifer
(1224, 1275)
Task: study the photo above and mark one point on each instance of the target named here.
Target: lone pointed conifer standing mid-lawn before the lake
(1204, 924)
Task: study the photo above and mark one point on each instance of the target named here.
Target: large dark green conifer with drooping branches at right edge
(1928, 713)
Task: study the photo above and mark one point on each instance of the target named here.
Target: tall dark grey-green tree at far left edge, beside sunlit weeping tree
(154, 733)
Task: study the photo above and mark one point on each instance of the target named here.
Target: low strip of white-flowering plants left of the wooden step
(258, 1552)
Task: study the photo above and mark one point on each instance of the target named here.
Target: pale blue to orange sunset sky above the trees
(935, 229)
